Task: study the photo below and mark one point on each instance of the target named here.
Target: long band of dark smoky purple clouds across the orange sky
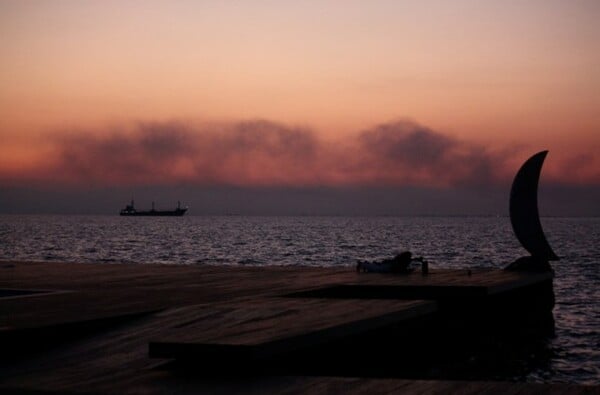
(260, 153)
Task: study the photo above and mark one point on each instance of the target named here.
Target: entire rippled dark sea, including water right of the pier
(339, 241)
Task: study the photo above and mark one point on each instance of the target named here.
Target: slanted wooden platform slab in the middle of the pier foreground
(267, 328)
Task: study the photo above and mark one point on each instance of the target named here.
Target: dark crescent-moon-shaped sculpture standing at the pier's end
(524, 215)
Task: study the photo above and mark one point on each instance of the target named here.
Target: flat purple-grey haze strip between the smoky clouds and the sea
(403, 201)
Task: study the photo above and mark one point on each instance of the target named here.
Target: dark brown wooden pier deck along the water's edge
(85, 328)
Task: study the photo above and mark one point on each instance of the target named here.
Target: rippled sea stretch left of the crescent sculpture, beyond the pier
(257, 240)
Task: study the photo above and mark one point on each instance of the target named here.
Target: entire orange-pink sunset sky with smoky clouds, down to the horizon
(298, 107)
